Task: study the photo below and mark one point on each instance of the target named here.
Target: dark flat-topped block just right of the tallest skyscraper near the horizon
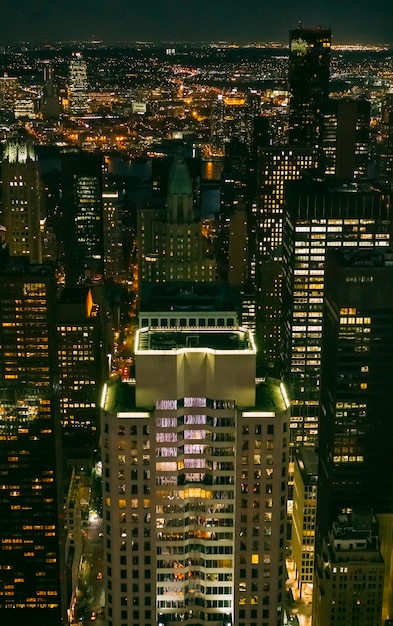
(346, 138)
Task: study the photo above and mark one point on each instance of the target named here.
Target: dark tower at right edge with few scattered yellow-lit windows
(356, 431)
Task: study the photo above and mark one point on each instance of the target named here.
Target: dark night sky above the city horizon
(351, 21)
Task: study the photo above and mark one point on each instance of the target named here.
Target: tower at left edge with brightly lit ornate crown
(22, 200)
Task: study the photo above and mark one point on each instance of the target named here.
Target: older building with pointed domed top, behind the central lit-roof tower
(171, 243)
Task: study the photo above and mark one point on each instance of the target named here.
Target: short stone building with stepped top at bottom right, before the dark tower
(350, 573)
